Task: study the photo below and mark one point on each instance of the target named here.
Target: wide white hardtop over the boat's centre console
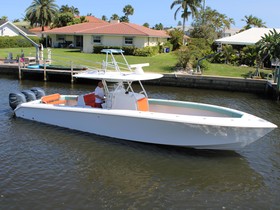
(117, 76)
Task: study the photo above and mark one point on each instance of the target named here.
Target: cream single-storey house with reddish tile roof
(102, 33)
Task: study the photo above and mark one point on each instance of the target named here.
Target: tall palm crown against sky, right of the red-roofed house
(189, 7)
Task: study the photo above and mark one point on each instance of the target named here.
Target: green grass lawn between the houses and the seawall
(162, 63)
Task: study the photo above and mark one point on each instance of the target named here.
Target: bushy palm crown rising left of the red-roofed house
(41, 12)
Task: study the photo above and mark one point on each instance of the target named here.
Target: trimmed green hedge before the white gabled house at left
(16, 41)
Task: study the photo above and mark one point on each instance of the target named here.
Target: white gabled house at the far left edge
(7, 28)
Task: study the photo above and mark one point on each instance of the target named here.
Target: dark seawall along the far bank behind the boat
(179, 80)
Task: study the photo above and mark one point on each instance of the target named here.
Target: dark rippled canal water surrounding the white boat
(46, 167)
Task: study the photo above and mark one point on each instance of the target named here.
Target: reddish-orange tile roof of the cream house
(100, 28)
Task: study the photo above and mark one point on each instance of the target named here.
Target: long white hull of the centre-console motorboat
(149, 127)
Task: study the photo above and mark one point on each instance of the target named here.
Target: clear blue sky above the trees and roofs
(158, 11)
